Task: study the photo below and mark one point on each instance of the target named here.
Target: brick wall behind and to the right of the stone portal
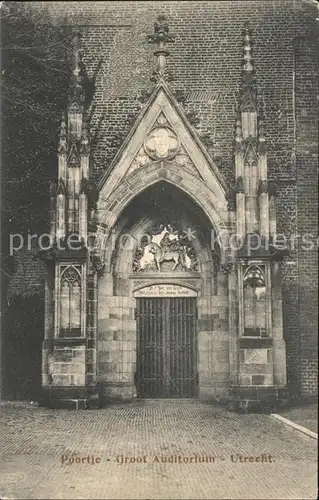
(206, 63)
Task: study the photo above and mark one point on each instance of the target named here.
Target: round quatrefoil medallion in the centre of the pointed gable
(161, 143)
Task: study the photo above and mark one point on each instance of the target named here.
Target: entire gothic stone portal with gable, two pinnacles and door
(162, 219)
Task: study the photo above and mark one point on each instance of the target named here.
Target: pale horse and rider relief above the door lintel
(165, 251)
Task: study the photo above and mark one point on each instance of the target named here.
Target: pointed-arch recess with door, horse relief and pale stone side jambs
(163, 297)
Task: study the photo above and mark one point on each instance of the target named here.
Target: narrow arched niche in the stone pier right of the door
(255, 302)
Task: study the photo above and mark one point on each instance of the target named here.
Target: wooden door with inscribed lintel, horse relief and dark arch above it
(165, 303)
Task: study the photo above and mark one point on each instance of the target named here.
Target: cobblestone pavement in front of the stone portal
(34, 440)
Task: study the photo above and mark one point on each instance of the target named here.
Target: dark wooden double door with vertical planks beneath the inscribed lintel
(166, 347)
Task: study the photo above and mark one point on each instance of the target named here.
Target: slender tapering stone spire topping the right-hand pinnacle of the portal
(248, 90)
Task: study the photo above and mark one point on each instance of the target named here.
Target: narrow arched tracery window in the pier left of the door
(70, 302)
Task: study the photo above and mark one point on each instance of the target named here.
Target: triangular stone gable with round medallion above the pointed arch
(161, 135)
